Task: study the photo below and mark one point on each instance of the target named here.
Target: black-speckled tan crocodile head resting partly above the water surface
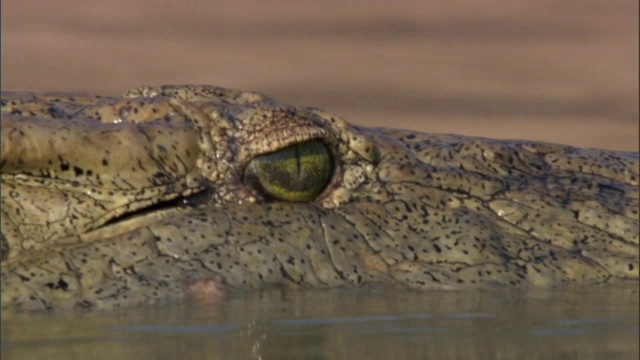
(170, 193)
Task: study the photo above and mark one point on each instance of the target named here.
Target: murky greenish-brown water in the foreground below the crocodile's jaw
(346, 324)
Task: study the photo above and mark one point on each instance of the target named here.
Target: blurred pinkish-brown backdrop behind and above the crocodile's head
(559, 71)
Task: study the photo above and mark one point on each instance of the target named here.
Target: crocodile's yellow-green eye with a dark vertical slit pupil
(299, 172)
